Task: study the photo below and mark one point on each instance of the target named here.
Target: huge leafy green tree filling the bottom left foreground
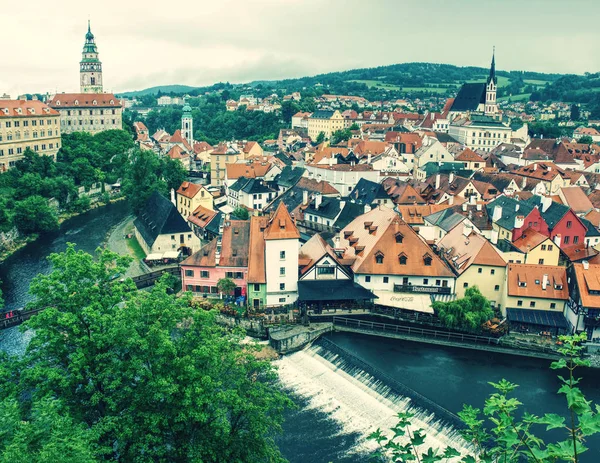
(150, 377)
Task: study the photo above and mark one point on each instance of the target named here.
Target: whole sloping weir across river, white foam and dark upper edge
(362, 398)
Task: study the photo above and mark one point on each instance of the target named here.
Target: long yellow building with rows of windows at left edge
(27, 124)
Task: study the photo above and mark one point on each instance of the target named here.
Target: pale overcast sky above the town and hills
(200, 42)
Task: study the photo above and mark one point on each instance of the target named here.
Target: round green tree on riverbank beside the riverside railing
(468, 313)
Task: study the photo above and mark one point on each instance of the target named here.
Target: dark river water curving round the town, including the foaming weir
(340, 401)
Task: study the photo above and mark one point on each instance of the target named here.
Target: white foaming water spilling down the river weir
(357, 401)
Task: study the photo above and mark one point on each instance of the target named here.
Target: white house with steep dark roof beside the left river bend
(159, 228)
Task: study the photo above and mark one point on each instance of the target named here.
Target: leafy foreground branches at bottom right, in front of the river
(511, 434)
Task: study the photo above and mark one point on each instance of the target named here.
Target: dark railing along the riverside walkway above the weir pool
(413, 331)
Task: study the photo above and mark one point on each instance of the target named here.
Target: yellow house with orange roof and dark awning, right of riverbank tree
(539, 288)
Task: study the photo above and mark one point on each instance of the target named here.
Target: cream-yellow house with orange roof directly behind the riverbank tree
(475, 262)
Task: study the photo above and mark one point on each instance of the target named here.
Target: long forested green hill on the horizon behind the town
(394, 81)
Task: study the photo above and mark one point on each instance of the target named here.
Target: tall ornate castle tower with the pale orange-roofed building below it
(91, 110)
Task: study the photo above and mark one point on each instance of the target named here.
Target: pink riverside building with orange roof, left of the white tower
(224, 257)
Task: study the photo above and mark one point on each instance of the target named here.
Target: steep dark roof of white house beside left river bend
(159, 217)
